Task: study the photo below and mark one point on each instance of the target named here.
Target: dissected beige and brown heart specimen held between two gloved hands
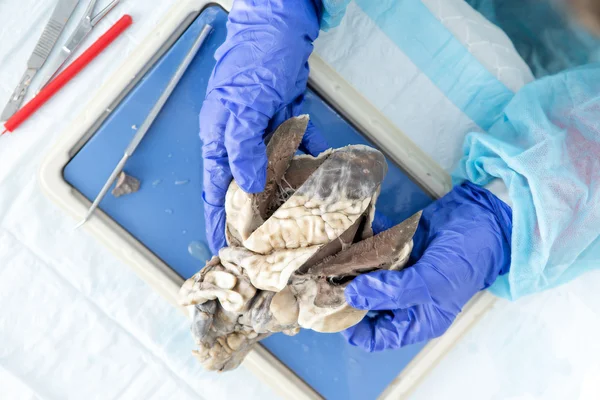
(293, 249)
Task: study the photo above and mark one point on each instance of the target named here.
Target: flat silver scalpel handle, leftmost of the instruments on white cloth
(60, 16)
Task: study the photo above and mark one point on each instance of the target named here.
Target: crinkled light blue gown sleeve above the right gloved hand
(546, 149)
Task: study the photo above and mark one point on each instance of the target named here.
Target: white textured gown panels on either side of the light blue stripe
(403, 92)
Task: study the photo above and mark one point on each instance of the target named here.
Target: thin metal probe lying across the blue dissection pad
(143, 129)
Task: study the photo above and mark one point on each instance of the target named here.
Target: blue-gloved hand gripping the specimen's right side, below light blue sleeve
(461, 245)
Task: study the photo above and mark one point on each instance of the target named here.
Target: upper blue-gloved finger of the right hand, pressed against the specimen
(388, 290)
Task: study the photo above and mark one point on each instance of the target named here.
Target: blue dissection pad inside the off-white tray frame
(166, 214)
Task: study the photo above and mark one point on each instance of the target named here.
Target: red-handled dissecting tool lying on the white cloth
(71, 71)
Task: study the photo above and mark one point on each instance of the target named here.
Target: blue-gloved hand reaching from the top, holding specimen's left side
(258, 82)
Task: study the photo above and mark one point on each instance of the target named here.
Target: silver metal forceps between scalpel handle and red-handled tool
(87, 23)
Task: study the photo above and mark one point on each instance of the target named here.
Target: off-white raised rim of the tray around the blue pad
(345, 99)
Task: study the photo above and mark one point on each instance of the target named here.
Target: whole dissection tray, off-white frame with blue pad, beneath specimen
(159, 230)
